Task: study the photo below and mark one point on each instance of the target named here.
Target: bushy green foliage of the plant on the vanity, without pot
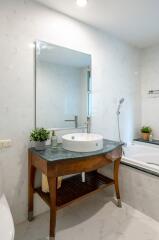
(39, 135)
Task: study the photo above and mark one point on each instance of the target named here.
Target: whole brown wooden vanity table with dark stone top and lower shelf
(59, 162)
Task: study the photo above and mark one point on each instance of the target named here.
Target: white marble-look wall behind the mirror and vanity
(114, 75)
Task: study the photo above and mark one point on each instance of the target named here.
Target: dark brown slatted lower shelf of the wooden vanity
(74, 189)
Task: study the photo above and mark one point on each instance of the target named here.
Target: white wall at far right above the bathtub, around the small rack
(150, 81)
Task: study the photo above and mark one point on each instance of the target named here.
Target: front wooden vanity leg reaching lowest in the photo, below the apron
(52, 181)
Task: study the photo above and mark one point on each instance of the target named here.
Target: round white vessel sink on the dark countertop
(82, 142)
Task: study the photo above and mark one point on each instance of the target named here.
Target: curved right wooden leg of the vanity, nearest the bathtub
(116, 182)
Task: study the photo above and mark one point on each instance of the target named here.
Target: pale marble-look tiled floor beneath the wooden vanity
(95, 218)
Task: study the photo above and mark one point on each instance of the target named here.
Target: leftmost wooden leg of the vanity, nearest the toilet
(31, 179)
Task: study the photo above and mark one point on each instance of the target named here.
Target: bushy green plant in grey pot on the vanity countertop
(39, 136)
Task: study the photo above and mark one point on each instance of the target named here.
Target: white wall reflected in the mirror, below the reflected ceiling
(60, 95)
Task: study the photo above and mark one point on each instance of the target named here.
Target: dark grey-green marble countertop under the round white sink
(54, 154)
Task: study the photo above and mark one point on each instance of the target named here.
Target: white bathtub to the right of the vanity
(142, 156)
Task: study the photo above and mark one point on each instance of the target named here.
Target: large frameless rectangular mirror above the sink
(63, 87)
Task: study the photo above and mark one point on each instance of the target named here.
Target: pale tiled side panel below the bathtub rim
(140, 190)
